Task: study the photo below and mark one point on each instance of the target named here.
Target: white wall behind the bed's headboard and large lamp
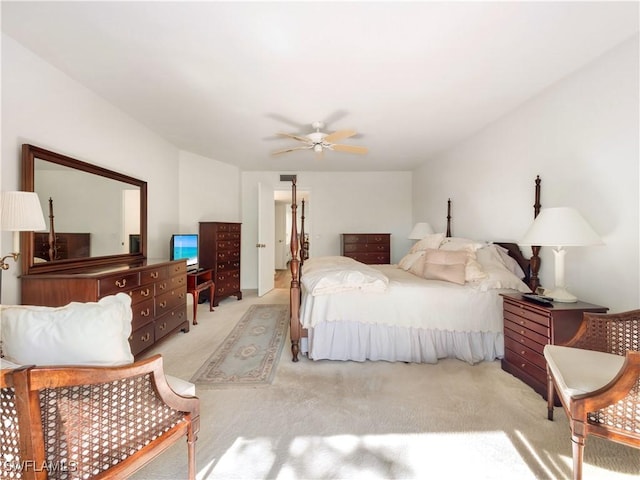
(581, 136)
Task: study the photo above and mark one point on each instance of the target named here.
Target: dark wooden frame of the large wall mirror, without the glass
(29, 154)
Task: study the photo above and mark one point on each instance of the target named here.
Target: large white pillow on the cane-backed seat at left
(93, 333)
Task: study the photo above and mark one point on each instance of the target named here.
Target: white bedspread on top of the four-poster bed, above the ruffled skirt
(409, 301)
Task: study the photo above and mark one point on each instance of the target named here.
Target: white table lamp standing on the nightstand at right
(560, 227)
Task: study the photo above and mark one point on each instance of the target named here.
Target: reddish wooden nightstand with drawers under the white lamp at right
(529, 326)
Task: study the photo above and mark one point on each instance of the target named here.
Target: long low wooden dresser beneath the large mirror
(158, 291)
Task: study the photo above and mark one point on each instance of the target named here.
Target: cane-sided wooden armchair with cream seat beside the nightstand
(597, 378)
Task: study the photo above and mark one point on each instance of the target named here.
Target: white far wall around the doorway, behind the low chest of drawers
(344, 202)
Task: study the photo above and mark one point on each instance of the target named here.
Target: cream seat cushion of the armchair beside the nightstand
(579, 371)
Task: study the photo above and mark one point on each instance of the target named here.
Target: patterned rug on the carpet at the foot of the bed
(250, 353)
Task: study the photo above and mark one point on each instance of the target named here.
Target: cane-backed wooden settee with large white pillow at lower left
(74, 405)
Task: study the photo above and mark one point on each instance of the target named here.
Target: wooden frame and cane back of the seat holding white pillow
(91, 422)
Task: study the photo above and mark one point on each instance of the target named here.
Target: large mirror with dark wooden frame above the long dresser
(95, 216)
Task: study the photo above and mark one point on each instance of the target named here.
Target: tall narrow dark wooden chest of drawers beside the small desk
(219, 250)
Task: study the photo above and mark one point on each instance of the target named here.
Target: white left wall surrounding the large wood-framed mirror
(44, 107)
